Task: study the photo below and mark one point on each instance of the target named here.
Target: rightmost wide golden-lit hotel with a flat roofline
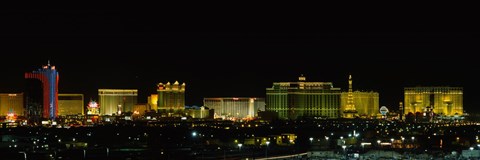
(447, 101)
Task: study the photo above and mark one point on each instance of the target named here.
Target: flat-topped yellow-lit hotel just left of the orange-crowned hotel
(117, 101)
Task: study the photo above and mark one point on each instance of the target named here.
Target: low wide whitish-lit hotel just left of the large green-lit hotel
(237, 108)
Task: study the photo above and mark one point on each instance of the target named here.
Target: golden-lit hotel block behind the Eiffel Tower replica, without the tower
(366, 103)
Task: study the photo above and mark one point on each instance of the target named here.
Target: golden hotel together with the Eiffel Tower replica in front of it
(362, 104)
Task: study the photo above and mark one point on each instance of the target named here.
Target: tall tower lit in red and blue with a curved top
(48, 75)
